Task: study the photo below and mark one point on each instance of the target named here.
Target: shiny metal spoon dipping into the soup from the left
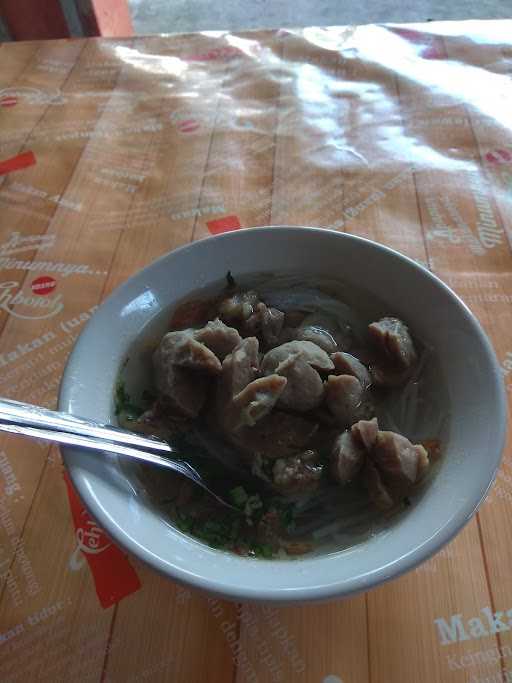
(39, 423)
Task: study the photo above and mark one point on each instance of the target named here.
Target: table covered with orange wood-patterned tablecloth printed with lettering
(113, 152)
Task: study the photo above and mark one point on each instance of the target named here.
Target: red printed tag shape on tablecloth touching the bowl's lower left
(113, 575)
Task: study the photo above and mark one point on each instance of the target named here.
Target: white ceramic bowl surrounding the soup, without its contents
(473, 442)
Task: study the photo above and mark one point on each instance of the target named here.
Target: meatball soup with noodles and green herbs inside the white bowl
(313, 410)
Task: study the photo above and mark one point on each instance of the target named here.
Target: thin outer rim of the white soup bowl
(345, 588)
